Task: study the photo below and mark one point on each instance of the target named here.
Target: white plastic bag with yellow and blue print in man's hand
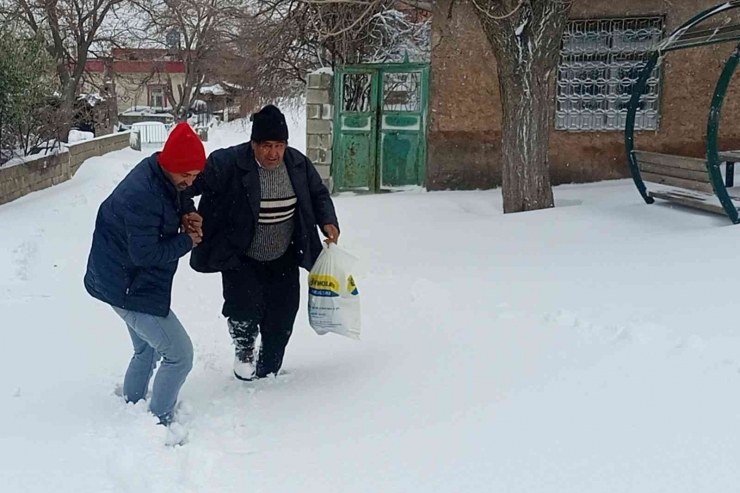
(333, 299)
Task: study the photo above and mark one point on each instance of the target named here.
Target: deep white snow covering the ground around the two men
(592, 348)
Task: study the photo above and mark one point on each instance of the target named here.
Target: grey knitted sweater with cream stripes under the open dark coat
(277, 215)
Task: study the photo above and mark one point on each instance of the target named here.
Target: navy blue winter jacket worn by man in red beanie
(137, 243)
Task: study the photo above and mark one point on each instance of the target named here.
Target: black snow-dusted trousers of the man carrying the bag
(264, 297)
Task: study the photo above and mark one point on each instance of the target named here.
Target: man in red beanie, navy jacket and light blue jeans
(135, 250)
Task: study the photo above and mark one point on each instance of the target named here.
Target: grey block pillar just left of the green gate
(319, 118)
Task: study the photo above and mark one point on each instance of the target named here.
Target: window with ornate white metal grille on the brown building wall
(600, 62)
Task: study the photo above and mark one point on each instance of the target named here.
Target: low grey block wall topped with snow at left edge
(44, 172)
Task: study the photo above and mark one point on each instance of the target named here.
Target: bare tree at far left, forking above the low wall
(70, 28)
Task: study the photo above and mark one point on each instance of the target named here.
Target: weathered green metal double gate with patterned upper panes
(380, 126)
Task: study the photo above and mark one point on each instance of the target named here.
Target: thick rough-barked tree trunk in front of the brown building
(526, 37)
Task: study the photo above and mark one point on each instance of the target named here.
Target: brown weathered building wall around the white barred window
(465, 117)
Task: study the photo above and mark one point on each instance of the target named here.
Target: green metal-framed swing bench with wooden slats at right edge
(690, 181)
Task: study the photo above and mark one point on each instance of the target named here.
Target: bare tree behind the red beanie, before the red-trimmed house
(194, 31)
